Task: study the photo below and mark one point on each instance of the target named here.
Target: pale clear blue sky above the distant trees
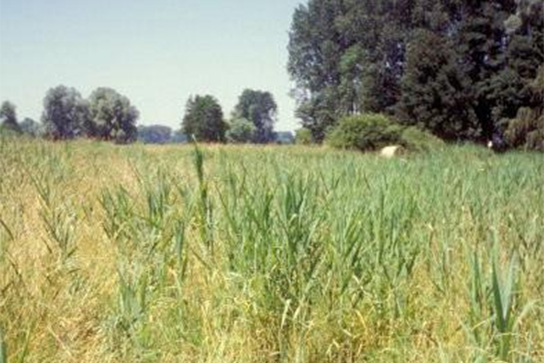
(156, 52)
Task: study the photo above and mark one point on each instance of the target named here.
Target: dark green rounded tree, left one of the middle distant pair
(204, 119)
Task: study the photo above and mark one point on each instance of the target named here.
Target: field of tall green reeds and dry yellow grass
(274, 254)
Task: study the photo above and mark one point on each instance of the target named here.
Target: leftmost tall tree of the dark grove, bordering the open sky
(315, 44)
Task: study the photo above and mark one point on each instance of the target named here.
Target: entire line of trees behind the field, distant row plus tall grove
(459, 69)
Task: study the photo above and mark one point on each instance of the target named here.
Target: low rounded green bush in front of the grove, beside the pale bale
(366, 132)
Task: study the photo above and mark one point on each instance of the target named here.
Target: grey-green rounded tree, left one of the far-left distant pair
(65, 113)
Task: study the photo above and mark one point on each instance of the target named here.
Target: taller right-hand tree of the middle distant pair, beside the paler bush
(260, 108)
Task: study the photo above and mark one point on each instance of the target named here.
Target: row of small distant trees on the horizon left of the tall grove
(108, 115)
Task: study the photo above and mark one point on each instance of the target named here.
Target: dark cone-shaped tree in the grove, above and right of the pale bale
(433, 89)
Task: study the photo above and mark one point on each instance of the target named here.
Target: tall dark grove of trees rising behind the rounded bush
(461, 69)
